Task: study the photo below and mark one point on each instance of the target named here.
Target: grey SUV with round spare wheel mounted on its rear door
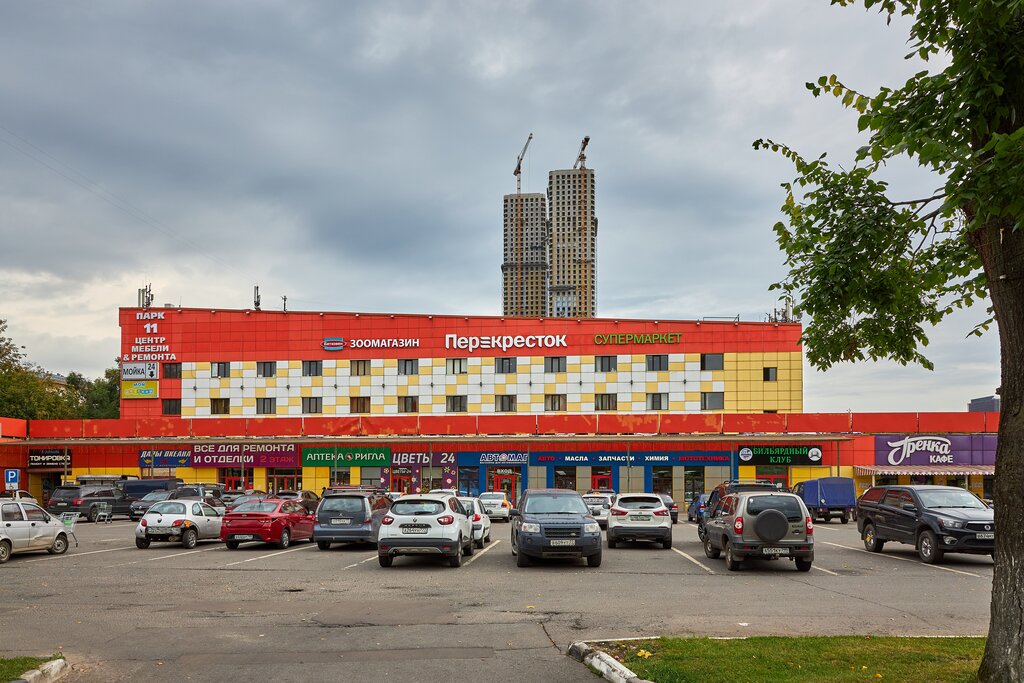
(760, 526)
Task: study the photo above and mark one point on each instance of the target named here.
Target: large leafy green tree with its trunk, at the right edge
(873, 270)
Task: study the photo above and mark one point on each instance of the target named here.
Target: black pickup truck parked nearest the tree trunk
(934, 520)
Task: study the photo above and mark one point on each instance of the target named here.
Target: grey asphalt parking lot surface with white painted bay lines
(210, 614)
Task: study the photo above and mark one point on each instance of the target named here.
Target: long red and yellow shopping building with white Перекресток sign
(298, 400)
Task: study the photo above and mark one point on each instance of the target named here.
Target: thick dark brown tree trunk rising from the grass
(1002, 251)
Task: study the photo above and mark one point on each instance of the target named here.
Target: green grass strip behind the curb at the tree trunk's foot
(814, 660)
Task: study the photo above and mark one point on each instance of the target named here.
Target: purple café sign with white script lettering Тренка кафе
(935, 450)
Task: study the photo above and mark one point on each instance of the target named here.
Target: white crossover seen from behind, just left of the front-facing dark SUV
(425, 525)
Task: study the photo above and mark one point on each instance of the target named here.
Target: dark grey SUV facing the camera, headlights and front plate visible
(554, 523)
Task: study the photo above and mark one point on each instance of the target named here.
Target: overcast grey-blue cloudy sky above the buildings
(354, 157)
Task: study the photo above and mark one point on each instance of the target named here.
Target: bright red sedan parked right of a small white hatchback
(269, 521)
